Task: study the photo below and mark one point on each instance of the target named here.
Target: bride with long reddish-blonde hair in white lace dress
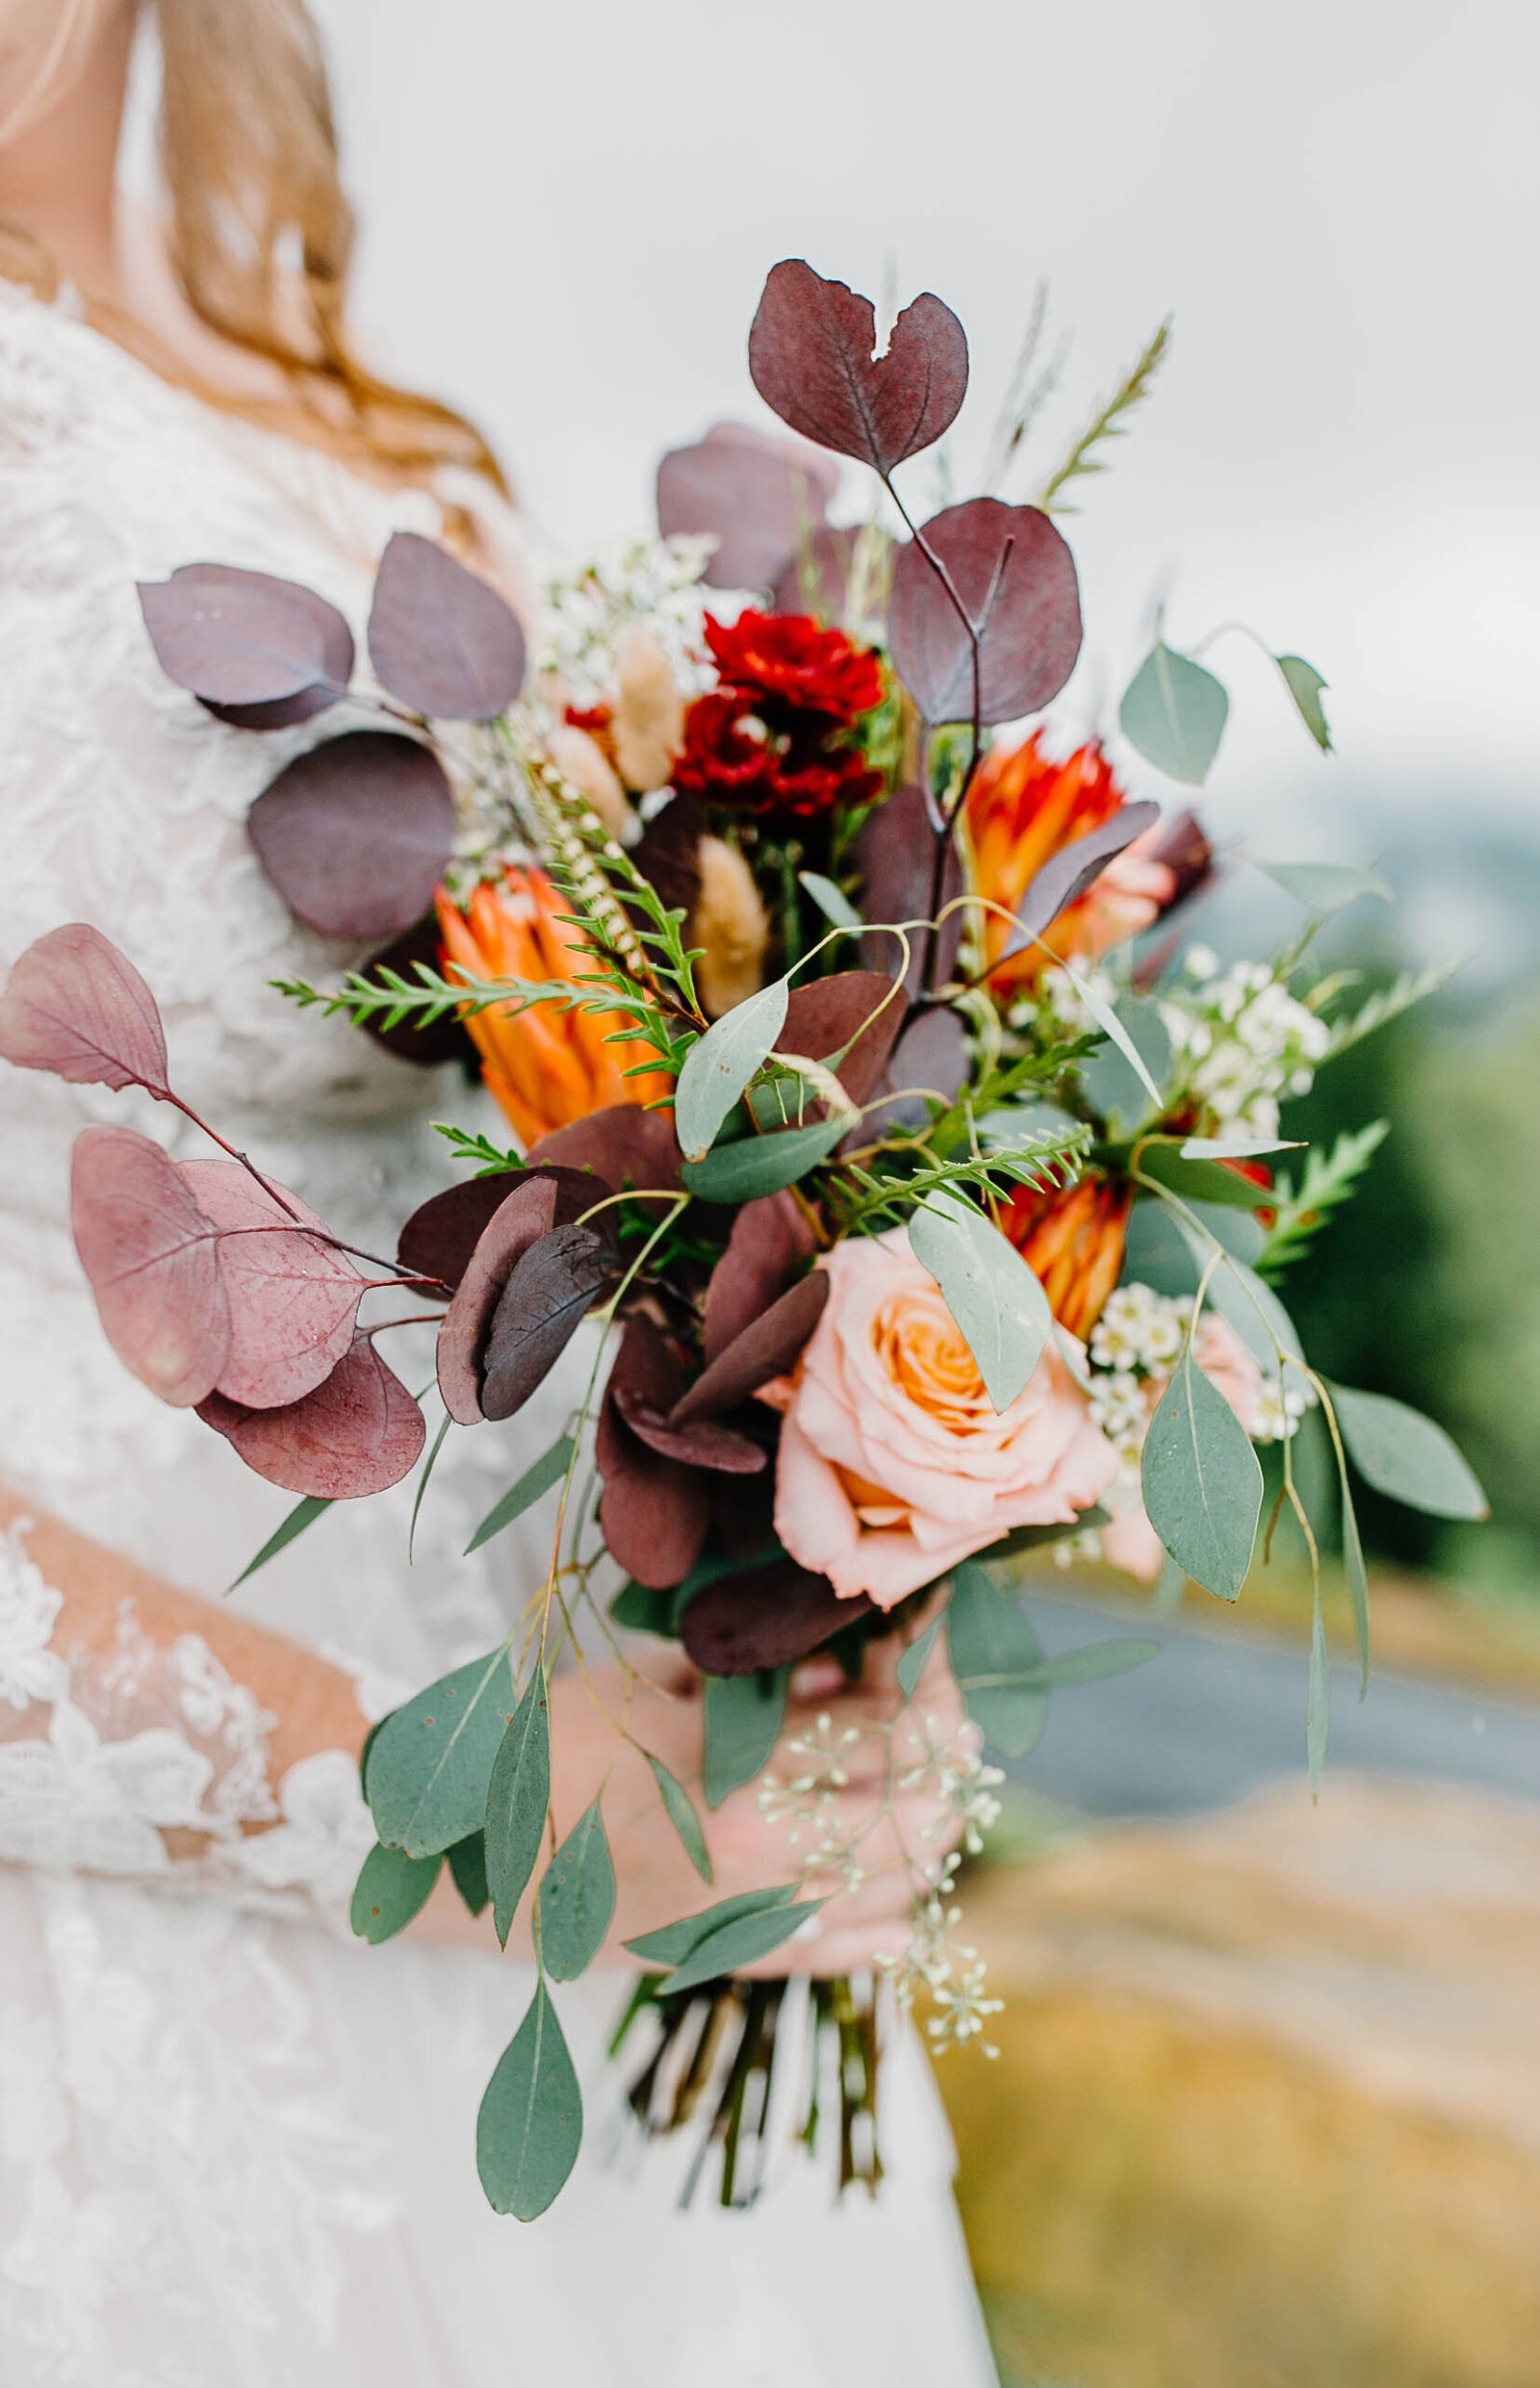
(235, 2146)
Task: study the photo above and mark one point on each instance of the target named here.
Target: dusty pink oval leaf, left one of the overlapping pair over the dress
(152, 1260)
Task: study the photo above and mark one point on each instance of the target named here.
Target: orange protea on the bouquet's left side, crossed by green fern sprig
(543, 1066)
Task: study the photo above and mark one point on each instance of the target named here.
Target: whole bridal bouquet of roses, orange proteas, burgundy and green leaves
(928, 1188)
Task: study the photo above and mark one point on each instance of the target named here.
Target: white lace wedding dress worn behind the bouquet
(238, 2146)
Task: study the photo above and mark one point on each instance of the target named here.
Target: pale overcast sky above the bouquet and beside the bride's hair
(569, 214)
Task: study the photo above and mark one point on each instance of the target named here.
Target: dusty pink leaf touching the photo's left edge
(80, 1009)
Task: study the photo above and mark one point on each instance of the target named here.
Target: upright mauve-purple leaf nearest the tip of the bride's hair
(441, 636)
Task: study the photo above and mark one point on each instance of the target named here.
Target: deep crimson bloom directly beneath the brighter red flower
(741, 761)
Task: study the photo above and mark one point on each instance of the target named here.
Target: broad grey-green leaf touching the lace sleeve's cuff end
(431, 1761)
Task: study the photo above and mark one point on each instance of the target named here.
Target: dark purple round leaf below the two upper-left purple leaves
(357, 835)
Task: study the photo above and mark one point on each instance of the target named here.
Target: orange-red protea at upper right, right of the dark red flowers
(1021, 811)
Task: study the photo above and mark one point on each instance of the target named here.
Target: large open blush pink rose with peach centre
(894, 1463)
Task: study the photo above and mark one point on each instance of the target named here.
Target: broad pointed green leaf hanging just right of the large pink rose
(1202, 1482)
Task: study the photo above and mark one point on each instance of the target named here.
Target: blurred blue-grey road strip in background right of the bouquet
(1219, 1713)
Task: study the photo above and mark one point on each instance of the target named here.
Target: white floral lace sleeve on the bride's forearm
(152, 1764)
